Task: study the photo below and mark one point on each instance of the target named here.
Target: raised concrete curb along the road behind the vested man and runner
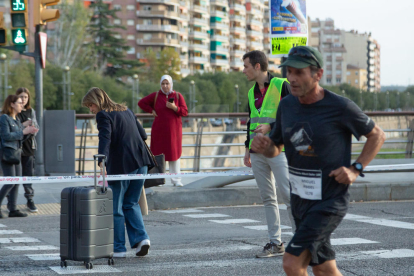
(170, 198)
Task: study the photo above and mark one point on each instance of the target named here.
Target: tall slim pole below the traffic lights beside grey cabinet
(40, 165)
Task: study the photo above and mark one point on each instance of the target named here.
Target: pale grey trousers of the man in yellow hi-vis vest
(266, 171)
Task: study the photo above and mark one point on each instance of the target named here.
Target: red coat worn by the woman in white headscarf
(167, 129)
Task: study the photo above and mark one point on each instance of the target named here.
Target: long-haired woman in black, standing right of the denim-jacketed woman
(29, 145)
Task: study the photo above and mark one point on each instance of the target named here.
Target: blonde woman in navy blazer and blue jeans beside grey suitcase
(121, 140)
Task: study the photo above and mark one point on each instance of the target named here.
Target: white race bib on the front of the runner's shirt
(306, 183)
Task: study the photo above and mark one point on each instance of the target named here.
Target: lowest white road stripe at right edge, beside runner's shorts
(377, 254)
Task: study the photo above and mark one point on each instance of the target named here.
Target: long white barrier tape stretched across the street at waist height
(90, 178)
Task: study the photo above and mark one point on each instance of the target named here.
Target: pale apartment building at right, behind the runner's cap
(342, 50)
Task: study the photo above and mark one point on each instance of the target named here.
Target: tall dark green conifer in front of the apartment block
(109, 49)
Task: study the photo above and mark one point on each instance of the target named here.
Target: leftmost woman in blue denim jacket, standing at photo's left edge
(11, 133)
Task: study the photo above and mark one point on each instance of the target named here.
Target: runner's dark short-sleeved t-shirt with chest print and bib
(317, 139)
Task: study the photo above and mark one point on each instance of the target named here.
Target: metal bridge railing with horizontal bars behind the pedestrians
(201, 118)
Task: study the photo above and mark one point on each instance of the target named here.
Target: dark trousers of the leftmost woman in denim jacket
(10, 189)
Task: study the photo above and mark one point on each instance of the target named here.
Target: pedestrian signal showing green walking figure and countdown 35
(19, 21)
